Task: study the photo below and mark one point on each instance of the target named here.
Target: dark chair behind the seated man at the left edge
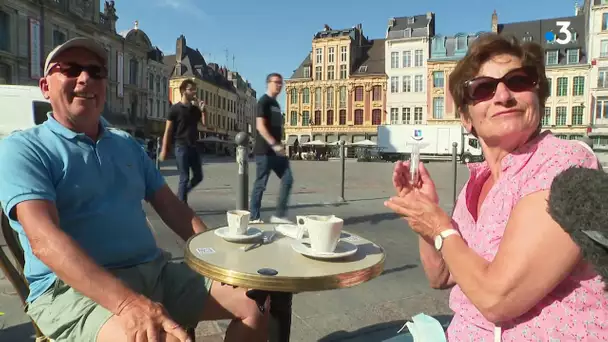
(13, 272)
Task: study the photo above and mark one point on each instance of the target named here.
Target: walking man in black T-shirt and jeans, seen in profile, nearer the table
(270, 153)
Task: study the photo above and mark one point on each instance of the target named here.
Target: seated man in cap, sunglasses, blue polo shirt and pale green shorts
(73, 189)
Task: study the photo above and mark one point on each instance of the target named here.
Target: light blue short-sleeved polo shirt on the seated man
(97, 187)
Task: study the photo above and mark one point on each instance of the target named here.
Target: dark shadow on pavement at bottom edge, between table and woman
(377, 332)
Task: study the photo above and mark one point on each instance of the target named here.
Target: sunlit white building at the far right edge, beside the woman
(598, 75)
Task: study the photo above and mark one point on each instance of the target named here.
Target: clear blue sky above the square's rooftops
(275, 35)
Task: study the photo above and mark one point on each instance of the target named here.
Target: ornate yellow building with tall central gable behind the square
(339, 90)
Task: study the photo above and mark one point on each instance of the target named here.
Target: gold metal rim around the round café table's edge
(282, 284)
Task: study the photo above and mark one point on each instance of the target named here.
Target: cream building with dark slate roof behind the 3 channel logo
(566, 112)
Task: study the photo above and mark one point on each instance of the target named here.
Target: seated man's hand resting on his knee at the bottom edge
(145, 320)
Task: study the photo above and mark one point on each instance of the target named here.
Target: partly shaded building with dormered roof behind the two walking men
(225, 102)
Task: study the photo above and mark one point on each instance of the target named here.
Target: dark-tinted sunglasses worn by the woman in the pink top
(517, 80)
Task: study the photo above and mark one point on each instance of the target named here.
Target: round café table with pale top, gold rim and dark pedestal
(276, 270)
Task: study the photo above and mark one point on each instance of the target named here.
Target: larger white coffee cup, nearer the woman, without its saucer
(323, 231)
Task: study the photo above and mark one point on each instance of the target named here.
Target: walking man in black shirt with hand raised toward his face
(181, 129)
